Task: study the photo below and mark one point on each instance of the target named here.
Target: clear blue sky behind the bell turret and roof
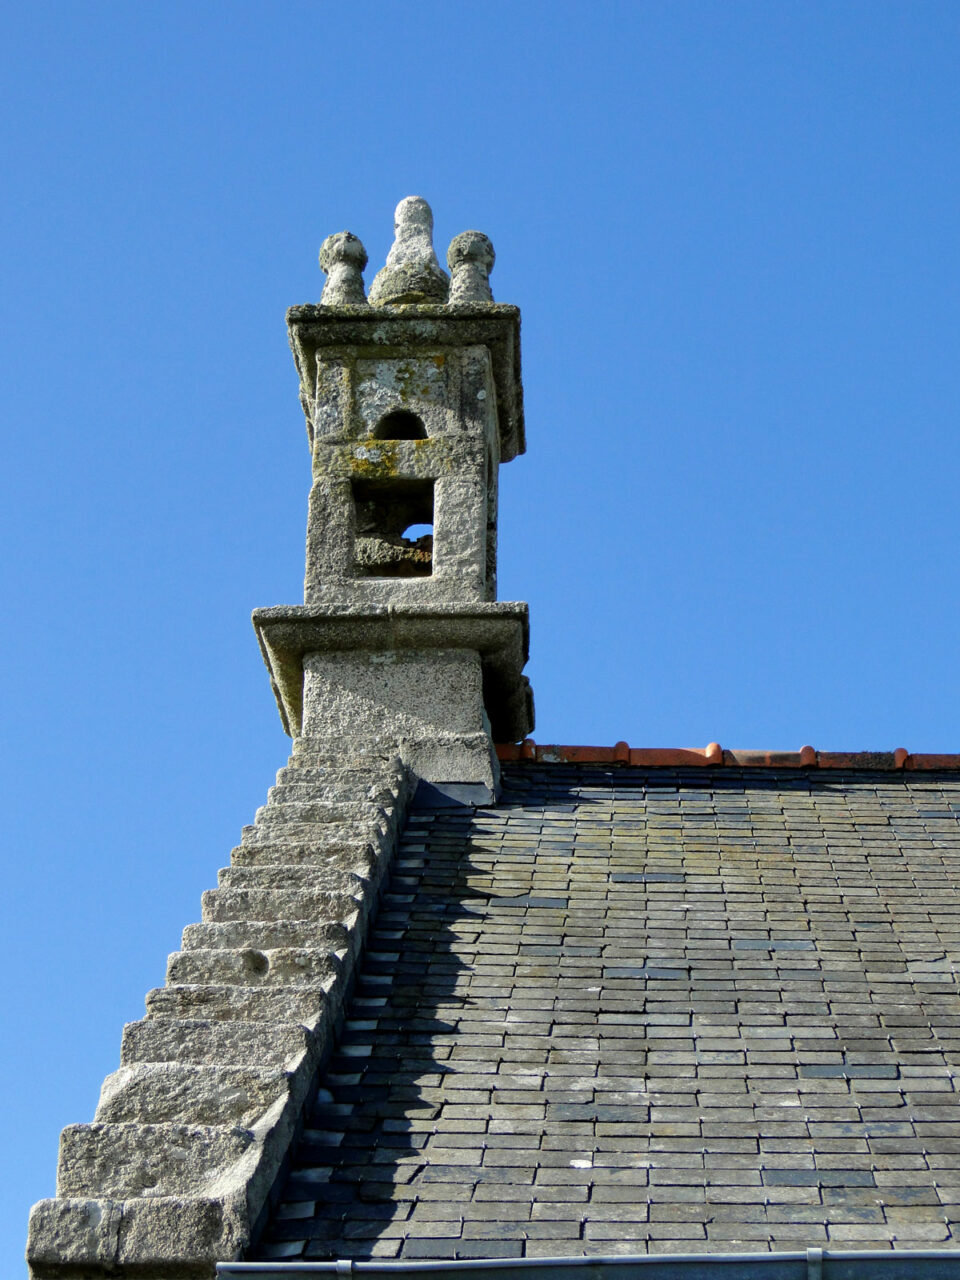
(733, 230)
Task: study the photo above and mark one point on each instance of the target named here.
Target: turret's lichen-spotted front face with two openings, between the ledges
(373, 484)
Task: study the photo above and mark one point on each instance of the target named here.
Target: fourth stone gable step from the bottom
(217, 1044)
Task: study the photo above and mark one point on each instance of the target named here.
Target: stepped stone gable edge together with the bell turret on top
(400, 668)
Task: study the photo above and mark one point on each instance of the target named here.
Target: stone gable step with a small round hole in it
(250, 967)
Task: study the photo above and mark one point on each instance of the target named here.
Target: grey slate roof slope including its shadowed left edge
(641, 1011)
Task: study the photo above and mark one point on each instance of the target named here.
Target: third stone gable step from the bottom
(186, 1094)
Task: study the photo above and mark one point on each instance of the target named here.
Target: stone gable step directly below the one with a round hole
(312, 1007)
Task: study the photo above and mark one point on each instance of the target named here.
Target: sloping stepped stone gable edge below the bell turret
(193, 1130)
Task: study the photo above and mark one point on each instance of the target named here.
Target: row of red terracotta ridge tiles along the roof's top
(670, 757)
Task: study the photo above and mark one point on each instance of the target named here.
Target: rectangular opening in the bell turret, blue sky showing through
(395, 528)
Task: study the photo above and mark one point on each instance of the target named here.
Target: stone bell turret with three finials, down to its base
(413, 401)
